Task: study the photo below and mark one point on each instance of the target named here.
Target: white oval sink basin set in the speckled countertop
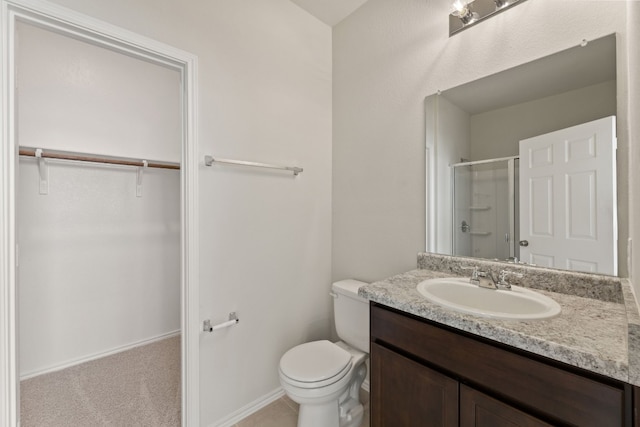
(516, 304)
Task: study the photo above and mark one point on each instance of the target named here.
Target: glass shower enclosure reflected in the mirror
(485, 208)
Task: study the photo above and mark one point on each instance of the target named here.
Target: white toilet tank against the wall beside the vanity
(351, 314)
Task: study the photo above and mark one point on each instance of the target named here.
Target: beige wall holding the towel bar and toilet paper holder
(264, 95)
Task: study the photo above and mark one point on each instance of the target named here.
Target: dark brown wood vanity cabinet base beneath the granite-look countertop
(425, 374)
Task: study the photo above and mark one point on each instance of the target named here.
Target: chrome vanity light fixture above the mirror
(465, 13)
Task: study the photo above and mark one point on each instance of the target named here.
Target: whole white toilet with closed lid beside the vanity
(325, 377)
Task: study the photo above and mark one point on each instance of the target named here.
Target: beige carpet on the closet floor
(139, 387)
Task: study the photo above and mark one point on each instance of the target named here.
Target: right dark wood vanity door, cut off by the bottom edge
(479, 410)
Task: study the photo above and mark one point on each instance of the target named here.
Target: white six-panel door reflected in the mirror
(568, 198)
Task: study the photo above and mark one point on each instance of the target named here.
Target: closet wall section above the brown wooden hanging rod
(75, 96)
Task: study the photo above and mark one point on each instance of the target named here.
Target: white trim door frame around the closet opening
(68, 22)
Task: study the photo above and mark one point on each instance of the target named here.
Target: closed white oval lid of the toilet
(314, 361)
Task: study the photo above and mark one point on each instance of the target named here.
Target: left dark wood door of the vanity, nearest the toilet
(407, 394)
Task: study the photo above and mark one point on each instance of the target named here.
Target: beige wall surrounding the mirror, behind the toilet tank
(387, 57)
